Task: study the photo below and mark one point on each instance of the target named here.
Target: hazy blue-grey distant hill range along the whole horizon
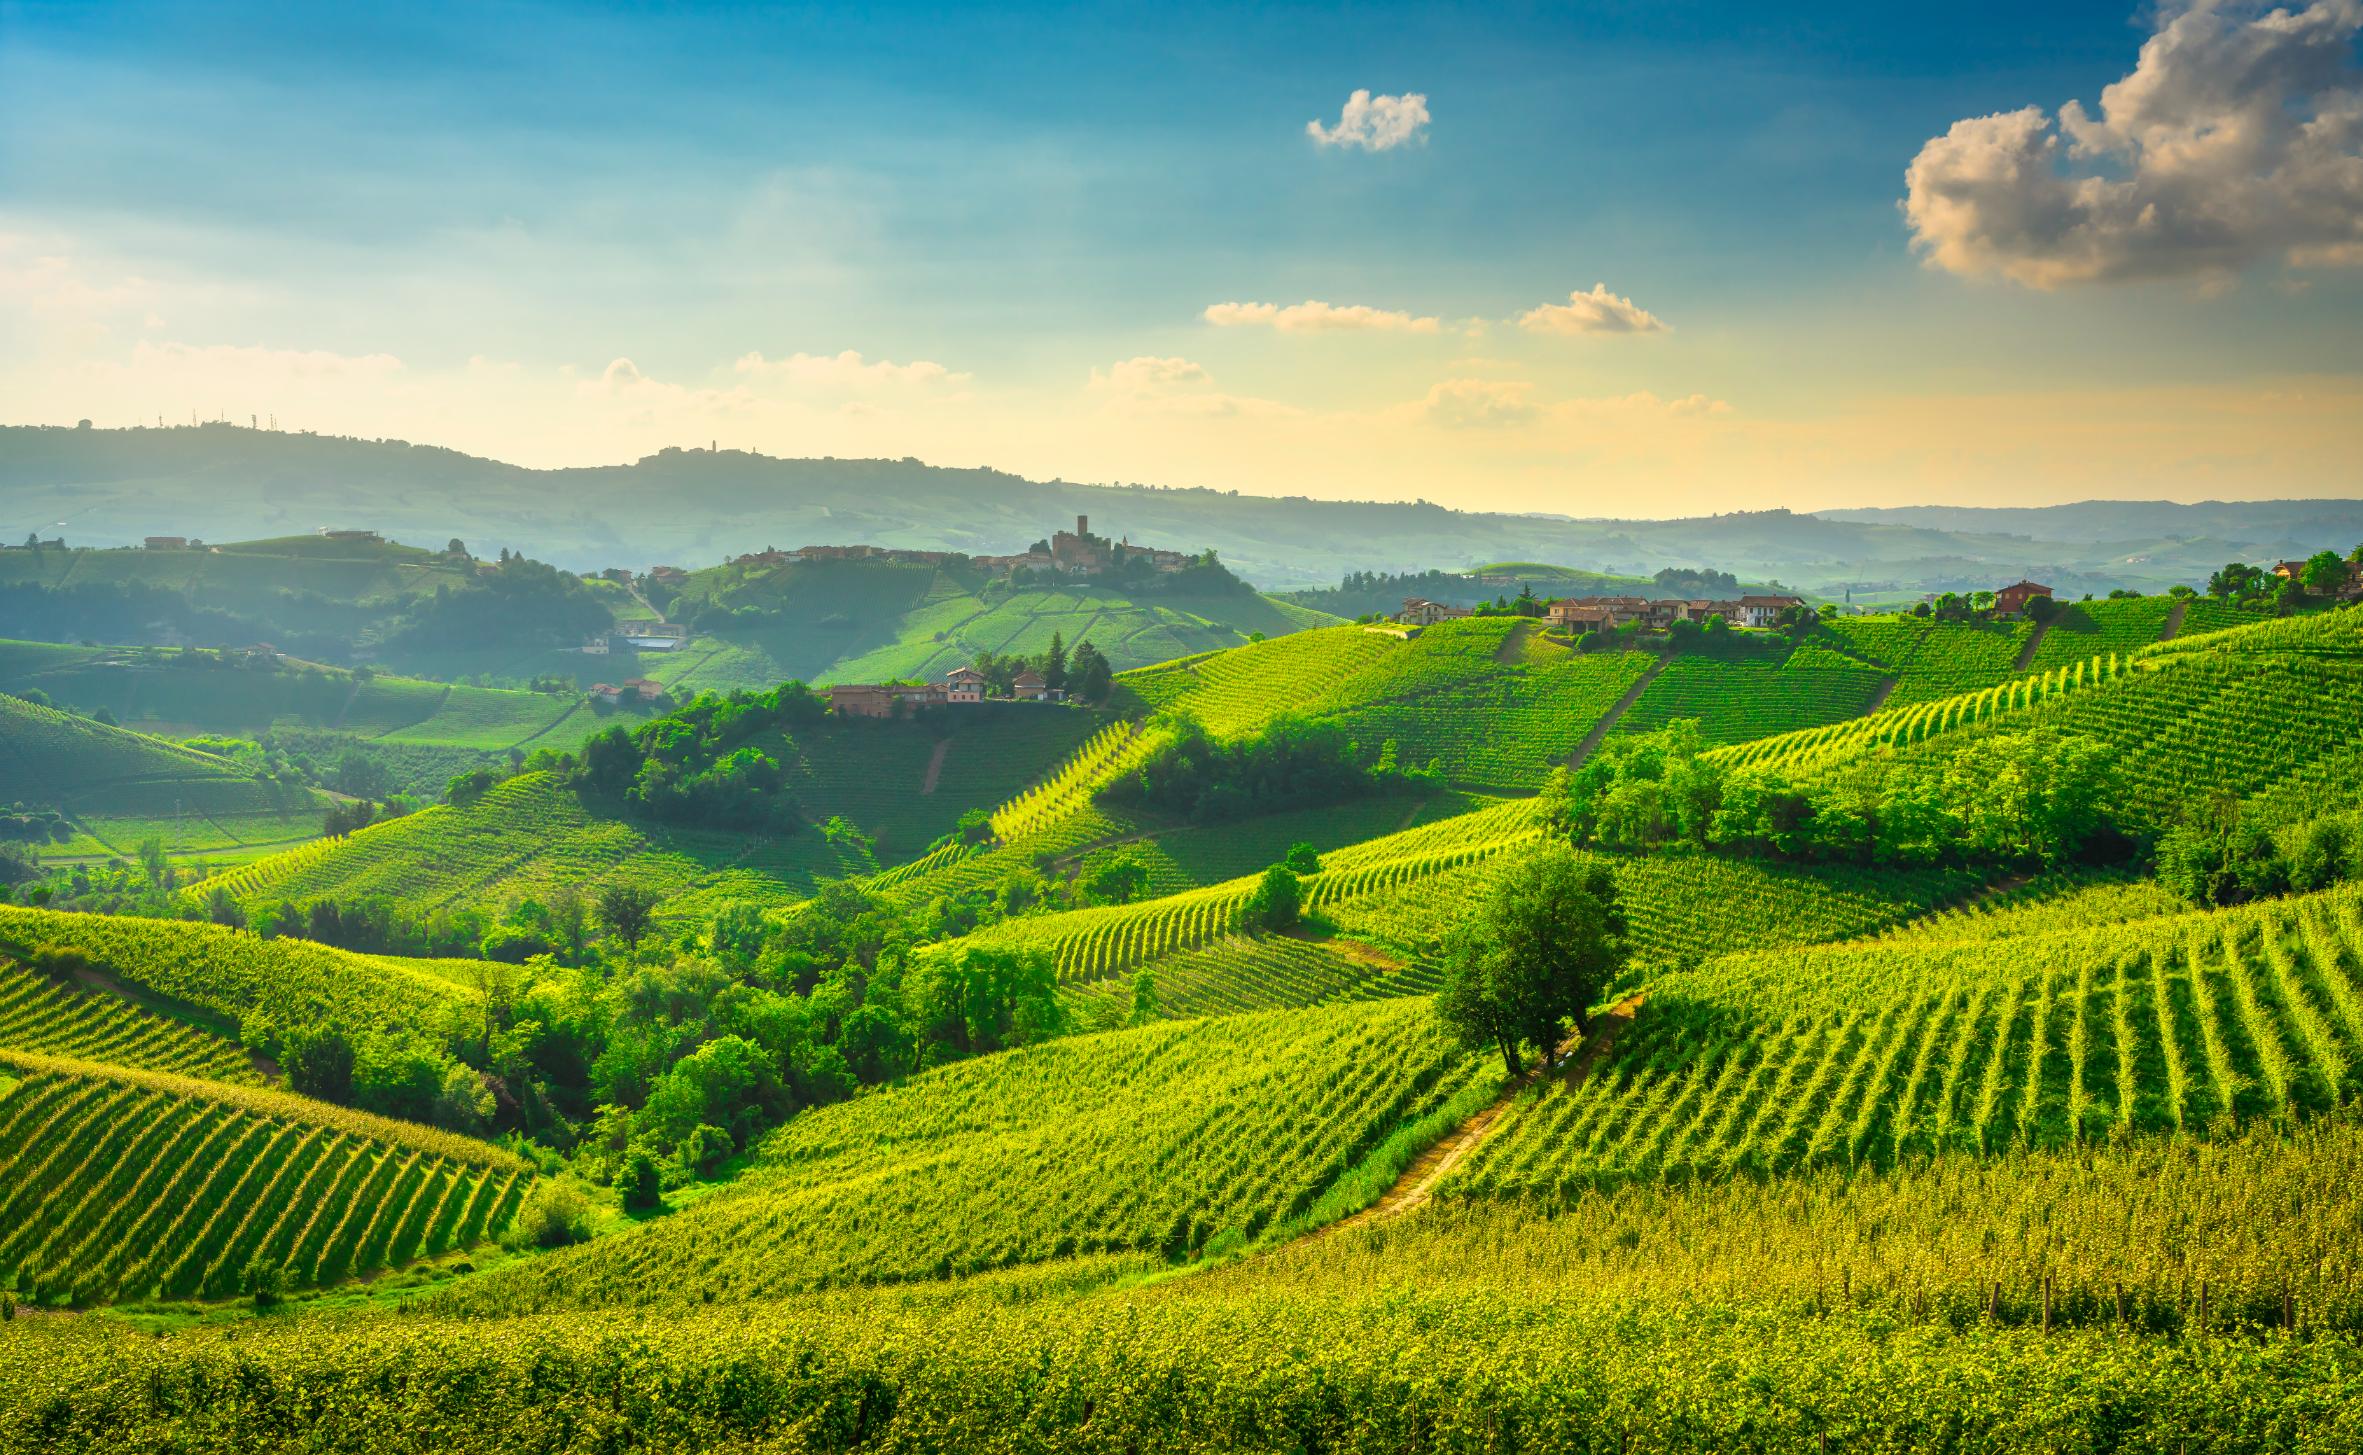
(703, 507)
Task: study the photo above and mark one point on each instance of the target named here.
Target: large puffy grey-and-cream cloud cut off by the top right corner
(2237, 138)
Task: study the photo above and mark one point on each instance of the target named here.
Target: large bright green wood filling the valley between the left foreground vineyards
(675, 1050)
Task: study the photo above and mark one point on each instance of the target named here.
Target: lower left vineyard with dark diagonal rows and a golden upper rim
(122, 1185)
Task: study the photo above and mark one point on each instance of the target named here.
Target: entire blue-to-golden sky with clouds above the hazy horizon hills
(1636, 259)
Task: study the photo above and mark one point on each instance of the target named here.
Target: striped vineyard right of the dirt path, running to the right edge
(1887, 1052)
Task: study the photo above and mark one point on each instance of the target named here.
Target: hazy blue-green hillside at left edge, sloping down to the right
(117, 790)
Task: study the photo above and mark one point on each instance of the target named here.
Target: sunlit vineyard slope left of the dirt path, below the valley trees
(1164, 1140)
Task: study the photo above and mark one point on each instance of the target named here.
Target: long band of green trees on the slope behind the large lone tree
(2031, 797)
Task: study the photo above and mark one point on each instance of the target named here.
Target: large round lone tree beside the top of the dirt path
(1535, 958)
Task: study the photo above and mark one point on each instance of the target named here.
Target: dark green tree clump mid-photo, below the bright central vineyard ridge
(1291, 764)
